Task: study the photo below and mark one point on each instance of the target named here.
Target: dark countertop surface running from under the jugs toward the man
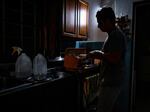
(11, 83)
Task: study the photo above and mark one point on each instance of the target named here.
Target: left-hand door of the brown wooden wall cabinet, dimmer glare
(70, 18)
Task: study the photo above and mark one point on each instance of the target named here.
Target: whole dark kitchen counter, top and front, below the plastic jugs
(60, 91)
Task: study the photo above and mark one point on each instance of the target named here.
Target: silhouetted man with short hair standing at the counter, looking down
(112, 56)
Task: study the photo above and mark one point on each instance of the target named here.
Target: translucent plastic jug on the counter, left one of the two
(23, 66)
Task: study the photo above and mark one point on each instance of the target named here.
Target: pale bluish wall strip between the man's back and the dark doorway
(122, 8)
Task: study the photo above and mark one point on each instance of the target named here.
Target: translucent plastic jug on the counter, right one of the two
(39, 67)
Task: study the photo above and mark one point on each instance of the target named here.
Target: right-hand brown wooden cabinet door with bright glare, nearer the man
(82, 19)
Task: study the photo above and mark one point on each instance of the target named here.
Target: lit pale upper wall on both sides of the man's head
(121, 7)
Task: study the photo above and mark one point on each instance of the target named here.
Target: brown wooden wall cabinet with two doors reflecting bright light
(75, 19)
